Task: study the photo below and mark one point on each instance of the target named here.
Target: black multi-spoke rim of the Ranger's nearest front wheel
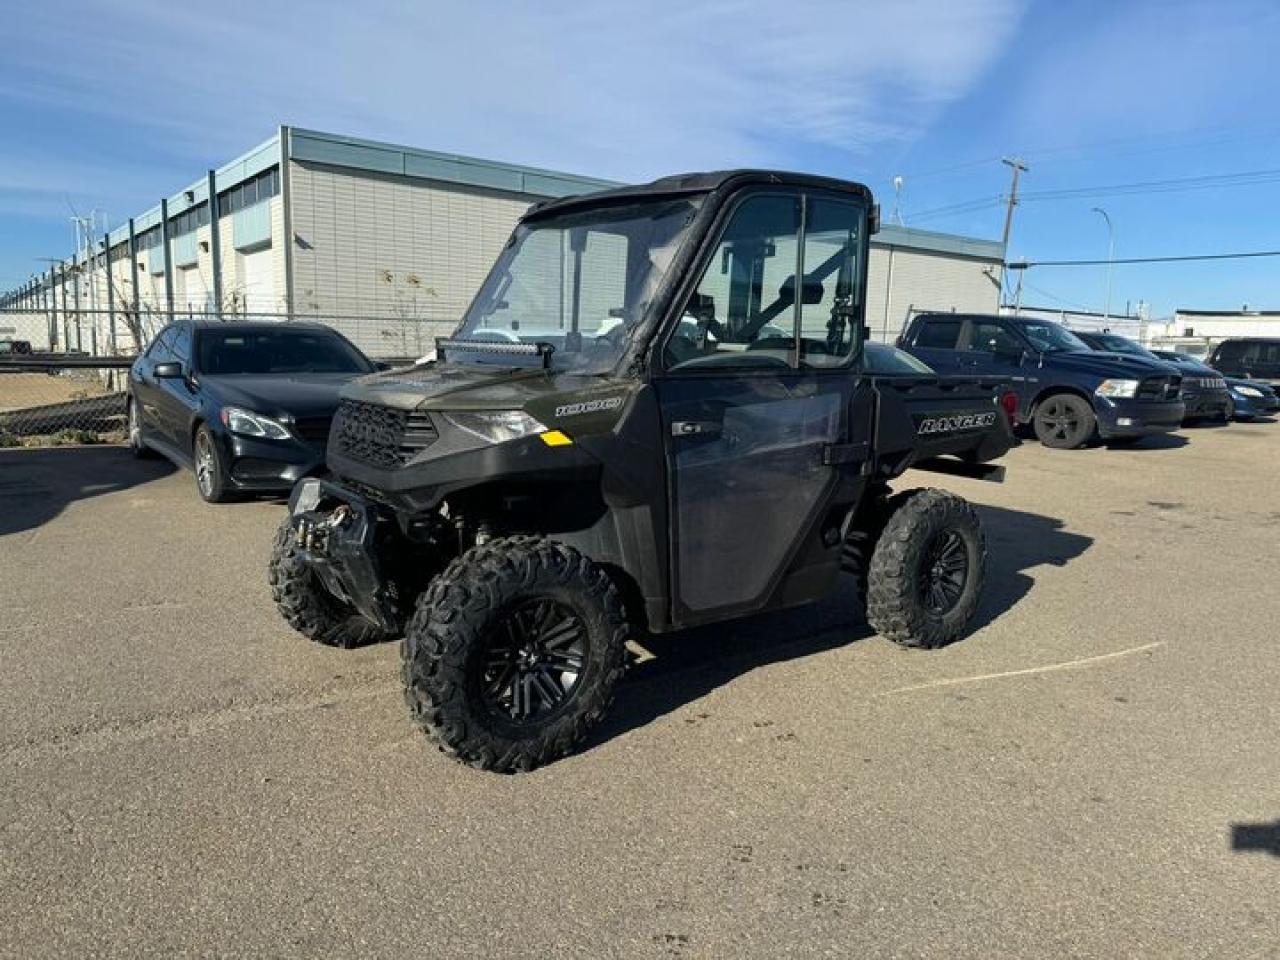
(533, 662)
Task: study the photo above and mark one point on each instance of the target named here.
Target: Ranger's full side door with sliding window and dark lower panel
(766, 420)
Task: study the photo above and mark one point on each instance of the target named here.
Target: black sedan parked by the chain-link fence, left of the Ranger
(246, 406)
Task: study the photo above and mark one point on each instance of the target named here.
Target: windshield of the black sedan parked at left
(284, 351)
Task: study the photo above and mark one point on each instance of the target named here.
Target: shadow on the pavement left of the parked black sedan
(38, 483)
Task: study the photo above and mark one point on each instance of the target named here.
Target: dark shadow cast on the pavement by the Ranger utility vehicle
(691, 664)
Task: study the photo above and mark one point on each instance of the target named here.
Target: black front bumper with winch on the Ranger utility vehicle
(336, 531)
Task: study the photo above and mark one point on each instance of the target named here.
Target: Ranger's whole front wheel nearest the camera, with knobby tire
(513, 653)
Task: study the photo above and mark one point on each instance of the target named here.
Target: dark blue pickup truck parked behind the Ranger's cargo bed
(1067, 392)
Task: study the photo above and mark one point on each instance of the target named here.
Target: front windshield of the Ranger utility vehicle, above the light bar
(582, 282)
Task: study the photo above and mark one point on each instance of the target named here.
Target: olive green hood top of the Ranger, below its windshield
(437, 386)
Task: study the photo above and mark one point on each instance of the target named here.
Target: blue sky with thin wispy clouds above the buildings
(109, 106)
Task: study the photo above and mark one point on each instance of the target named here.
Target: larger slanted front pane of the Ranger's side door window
(743, 312)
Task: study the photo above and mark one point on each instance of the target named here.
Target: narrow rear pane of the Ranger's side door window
(833, 287)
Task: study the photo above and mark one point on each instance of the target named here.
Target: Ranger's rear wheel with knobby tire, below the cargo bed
(927, 572)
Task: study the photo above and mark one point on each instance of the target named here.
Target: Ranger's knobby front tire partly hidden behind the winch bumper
(308, 607)
